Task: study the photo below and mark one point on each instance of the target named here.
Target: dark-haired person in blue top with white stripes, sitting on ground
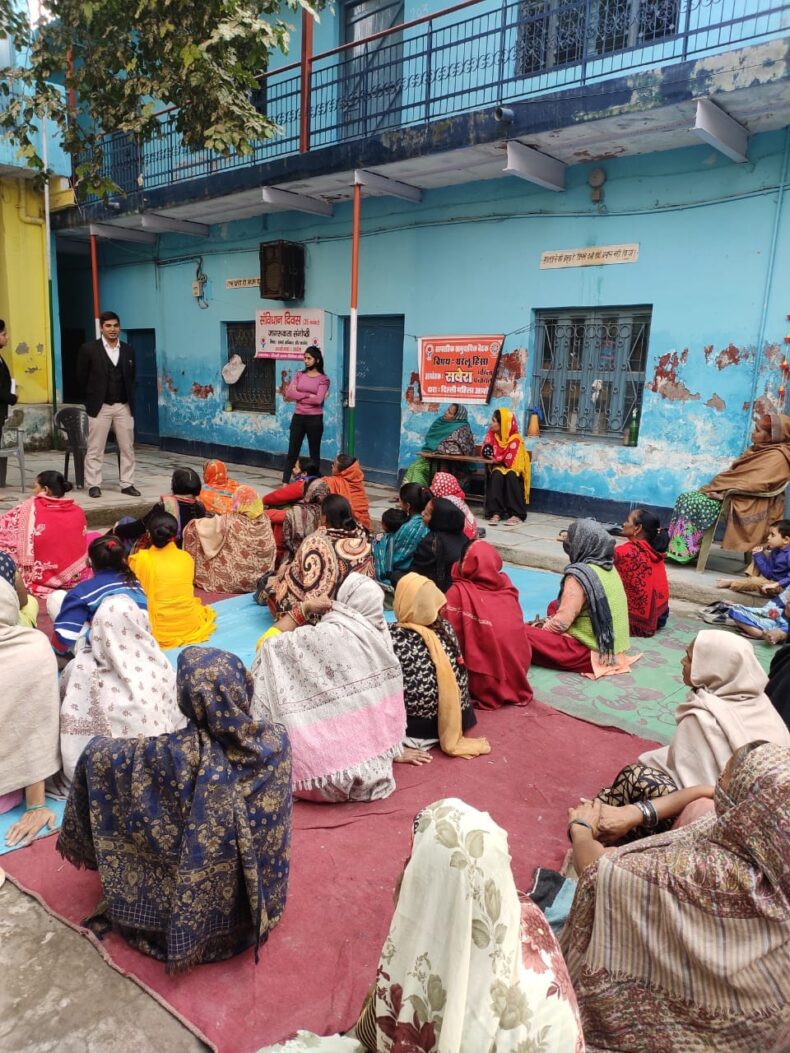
(112, 578)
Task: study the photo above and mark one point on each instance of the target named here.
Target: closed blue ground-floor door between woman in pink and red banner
(380, 379)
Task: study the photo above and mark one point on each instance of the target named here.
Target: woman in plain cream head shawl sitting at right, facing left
(726, 708)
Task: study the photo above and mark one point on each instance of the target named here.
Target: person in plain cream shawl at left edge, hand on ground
(29, 716)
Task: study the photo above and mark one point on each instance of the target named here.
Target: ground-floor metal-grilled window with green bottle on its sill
(590, 369)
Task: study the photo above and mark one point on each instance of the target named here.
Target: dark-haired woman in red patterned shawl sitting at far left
(47, 537)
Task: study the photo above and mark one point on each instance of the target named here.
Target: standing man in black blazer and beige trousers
(106, 372)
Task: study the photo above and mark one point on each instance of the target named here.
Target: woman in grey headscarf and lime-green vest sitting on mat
(586, 628)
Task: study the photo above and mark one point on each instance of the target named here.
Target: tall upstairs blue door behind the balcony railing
(373, 73)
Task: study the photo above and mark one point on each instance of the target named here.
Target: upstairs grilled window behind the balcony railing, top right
(556, 33)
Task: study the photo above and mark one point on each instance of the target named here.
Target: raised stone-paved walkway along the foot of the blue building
(535, 544)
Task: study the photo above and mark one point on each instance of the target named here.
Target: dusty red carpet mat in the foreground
(317, 968)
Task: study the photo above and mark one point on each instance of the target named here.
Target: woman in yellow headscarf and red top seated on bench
(508, 490)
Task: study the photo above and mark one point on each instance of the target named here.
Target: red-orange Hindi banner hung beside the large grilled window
(459, 369)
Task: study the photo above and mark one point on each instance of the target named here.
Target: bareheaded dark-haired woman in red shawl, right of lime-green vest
(643, 571)
